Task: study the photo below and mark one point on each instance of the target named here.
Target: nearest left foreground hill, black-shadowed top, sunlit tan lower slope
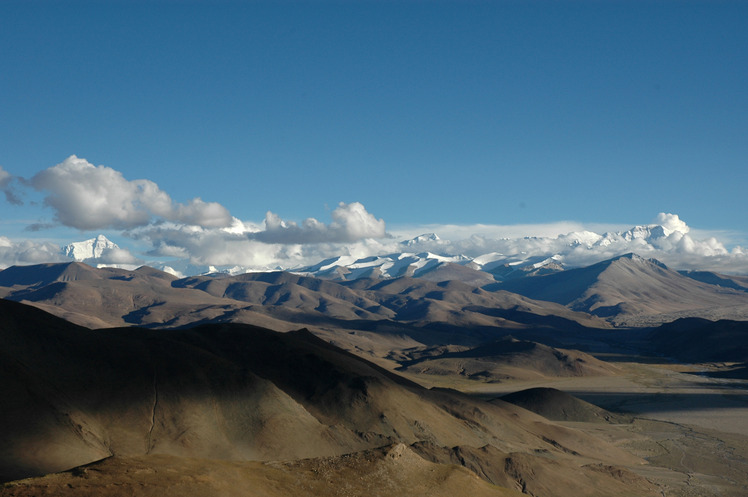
(74, 395)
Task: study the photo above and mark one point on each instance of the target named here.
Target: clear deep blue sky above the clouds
(426, 113)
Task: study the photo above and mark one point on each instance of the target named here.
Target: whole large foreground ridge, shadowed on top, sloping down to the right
(230, 393)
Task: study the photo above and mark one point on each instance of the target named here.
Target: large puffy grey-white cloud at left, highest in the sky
(89, 197)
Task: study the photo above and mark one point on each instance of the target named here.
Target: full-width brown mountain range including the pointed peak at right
(624, 291)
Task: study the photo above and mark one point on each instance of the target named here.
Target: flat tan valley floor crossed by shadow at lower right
(692, 429)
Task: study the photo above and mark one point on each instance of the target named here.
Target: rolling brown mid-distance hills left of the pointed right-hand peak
(147, 297)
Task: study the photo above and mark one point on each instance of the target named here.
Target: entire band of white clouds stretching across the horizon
(198, 235)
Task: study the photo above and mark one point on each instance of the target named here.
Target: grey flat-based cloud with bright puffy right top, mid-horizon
(351, 222)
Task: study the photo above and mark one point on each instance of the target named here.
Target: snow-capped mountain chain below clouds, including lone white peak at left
(428, 256)
